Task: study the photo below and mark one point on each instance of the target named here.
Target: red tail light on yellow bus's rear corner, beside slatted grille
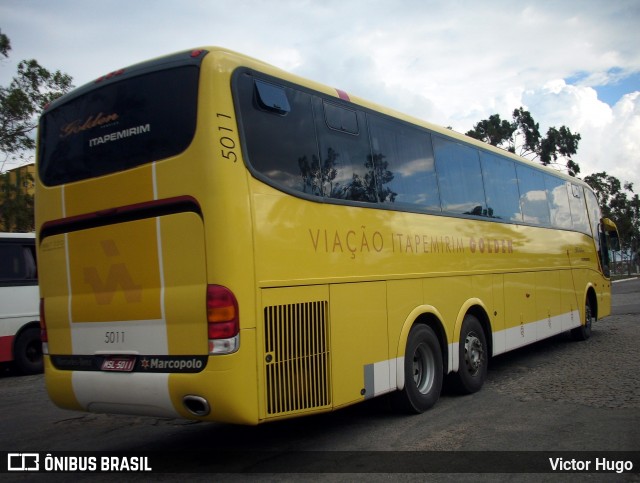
(222, 320)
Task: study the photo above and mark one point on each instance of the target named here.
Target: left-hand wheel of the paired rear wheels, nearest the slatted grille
(423, 372)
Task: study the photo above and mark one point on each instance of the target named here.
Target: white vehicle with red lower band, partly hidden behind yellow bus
(19, 303)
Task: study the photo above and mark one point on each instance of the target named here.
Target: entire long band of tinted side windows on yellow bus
(305, 142)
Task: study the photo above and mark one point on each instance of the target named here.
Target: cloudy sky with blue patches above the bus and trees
(452, 62)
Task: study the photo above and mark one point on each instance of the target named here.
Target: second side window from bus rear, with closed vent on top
(345, 157)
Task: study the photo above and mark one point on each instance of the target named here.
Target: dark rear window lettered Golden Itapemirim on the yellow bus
(119, 126)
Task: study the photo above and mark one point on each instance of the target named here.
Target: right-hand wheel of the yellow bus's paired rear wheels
(474, 357)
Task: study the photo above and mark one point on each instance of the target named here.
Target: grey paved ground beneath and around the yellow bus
(557, 395)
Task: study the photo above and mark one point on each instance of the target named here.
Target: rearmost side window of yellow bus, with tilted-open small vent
(281, 146)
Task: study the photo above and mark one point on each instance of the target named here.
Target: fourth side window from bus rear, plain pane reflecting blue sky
(459, 178)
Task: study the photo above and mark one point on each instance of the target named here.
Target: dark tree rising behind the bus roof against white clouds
(558, 143)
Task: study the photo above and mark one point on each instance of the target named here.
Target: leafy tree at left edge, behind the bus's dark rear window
(20, 104)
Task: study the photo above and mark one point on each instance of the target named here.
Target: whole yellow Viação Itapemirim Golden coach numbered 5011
(222, 240)
